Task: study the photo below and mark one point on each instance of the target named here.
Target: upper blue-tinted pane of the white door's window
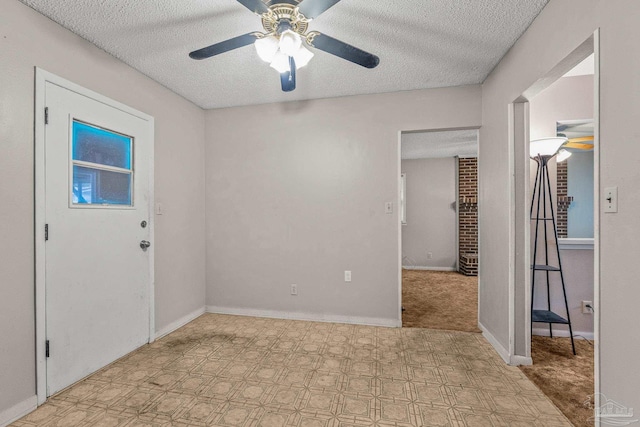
(95, 145)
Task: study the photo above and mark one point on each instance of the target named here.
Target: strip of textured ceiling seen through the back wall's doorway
(427, 145)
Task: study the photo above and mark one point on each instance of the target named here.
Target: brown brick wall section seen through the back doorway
(468, 216)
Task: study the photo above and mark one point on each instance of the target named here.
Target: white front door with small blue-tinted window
(97, 275)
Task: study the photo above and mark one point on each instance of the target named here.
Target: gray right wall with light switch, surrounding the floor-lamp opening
(561, 27)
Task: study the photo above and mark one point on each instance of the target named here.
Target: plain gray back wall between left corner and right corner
(297, 195)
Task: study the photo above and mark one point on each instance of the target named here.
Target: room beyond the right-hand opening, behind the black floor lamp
(565, 109)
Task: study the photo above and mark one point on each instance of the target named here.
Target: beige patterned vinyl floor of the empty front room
(250, 372)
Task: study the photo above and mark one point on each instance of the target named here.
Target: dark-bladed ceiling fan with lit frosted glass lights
(285, 26)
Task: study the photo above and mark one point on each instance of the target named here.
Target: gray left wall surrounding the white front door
(28, 39)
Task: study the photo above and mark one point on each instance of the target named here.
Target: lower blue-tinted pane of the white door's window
(95, 186)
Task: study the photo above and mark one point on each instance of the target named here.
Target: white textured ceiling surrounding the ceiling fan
(421, 44)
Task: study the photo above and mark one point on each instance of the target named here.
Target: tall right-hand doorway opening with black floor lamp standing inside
(565, 105)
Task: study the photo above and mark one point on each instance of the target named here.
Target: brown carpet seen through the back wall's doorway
(439, 300)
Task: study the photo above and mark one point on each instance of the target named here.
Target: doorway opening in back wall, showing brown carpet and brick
(439, 237)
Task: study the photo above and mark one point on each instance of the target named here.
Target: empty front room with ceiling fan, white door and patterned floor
(201, 220)
